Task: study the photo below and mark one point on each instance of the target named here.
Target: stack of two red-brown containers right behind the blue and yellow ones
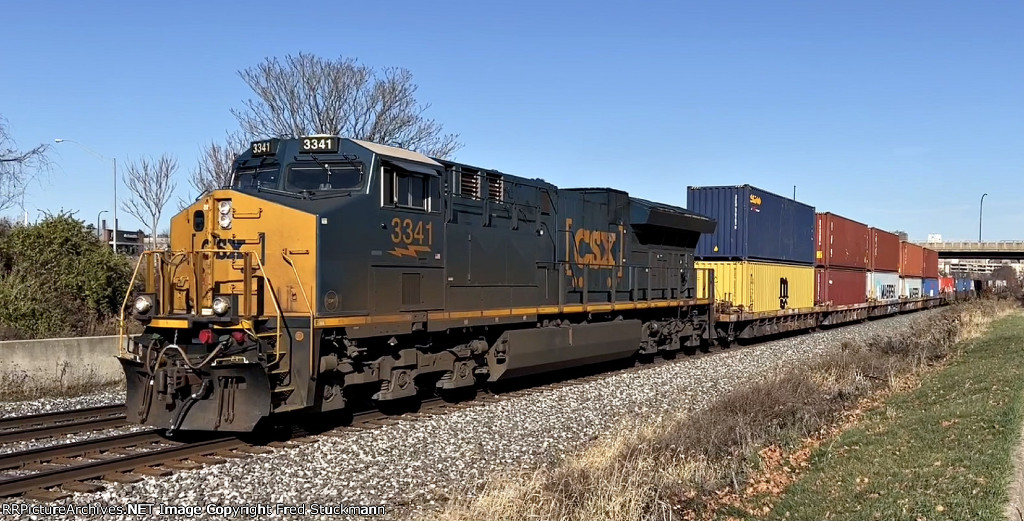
(841, 259)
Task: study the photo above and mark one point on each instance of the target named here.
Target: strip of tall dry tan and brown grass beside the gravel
(678, 468)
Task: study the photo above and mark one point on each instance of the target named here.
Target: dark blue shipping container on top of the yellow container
(754, 225)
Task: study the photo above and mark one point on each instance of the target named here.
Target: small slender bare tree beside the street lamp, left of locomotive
(151, 185)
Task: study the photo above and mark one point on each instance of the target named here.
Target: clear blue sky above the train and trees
(897, 114)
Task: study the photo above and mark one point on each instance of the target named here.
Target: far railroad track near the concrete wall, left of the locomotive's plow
(65, 422)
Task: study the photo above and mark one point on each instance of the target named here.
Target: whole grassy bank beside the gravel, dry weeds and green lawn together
(863, 432)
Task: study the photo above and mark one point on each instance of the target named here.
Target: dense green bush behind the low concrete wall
(57, 279)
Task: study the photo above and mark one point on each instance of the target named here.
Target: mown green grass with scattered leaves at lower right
(944, 451)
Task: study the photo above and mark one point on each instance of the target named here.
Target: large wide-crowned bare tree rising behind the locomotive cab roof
(308, 95)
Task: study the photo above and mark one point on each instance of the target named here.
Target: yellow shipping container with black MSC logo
(757, 287)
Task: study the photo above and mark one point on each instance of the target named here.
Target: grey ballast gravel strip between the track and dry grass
(413, 466)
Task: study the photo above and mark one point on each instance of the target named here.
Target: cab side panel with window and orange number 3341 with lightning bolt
(410, 276)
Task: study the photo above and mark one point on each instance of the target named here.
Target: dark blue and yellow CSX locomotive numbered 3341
(335, 272)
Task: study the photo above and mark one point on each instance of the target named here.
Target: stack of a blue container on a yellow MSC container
(762, 250)
